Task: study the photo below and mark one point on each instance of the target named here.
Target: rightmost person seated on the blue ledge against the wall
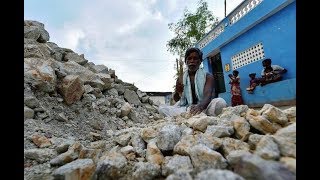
(271, 73)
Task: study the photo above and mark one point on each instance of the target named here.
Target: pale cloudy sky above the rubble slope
(128, 36)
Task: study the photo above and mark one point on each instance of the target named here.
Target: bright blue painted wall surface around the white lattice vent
(277, 33)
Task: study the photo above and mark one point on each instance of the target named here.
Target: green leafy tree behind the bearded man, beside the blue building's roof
(191, 28)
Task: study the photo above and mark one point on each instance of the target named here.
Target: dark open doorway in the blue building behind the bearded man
(217, 72)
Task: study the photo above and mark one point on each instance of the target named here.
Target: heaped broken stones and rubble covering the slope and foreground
(82, 122)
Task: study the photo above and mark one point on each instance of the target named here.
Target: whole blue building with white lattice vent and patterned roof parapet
(253, 31)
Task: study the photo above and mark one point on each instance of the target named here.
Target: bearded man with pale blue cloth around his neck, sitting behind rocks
(198, 90)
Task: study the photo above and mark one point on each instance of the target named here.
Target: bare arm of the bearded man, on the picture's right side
(207, 95)
